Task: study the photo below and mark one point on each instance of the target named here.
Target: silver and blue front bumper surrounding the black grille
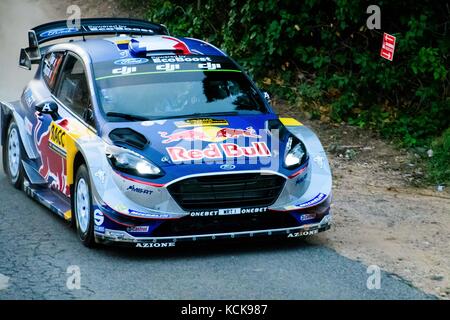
(144, 214)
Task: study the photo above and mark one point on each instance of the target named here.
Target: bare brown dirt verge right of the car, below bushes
(379, 217)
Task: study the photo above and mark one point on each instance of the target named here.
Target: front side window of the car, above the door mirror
(73, 89)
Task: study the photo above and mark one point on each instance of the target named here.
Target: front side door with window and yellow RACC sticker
(56, 132)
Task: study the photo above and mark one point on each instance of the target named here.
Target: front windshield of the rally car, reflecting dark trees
(161, 95)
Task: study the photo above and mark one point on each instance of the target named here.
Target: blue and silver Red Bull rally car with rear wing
(144, 139)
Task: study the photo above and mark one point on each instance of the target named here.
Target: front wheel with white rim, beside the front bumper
(82, 207)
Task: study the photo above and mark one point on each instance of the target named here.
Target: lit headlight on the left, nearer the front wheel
(132, 163)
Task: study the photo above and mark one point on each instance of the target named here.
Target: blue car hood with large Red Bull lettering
(196, 145)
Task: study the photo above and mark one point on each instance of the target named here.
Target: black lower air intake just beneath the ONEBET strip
(225, 224)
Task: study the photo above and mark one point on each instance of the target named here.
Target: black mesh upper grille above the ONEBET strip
(227, 191)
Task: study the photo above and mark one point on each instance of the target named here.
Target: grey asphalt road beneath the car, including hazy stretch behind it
(37, 247)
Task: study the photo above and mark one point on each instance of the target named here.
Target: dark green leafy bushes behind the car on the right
(316, 52)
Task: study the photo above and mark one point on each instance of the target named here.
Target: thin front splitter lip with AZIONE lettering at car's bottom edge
(121, 237)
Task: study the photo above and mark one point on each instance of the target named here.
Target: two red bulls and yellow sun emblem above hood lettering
(209, 134)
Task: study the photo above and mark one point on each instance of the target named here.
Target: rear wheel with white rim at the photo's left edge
(12, 156)
